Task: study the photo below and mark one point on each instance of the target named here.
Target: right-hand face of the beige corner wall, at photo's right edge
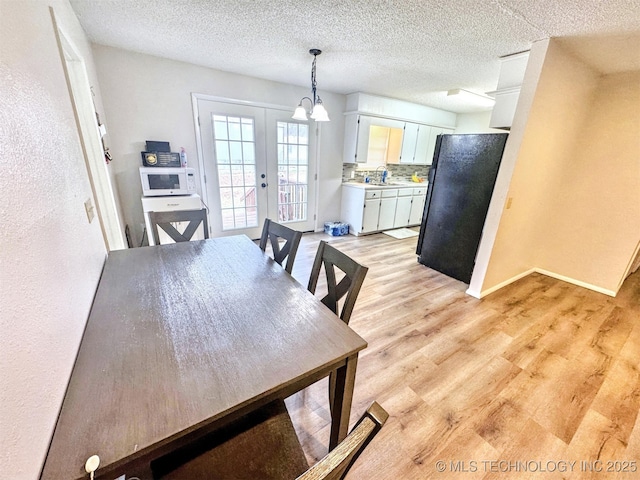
(596, 228)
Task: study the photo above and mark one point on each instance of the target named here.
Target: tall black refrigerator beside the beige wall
(461, 182)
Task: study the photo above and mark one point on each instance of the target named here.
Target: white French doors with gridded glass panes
(257, 163)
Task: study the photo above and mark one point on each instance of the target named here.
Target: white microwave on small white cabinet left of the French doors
(160, 181)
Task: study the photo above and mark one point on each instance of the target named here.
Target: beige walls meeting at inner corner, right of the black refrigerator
(578, 138)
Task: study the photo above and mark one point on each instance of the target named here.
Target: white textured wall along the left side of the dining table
(50, 256)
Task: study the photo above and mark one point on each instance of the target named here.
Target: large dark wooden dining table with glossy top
(183, 339)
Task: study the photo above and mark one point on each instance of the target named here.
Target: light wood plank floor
(539, 373)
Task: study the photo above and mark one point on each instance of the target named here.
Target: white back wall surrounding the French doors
(149, 98)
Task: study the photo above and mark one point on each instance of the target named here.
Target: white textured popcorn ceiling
(413, 50)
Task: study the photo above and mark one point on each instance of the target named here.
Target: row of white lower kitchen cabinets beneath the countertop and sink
(374, 209)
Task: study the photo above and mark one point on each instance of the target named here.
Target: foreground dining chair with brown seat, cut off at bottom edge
(264, 445)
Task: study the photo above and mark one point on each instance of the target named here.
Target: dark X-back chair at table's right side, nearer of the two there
(348, 287)
